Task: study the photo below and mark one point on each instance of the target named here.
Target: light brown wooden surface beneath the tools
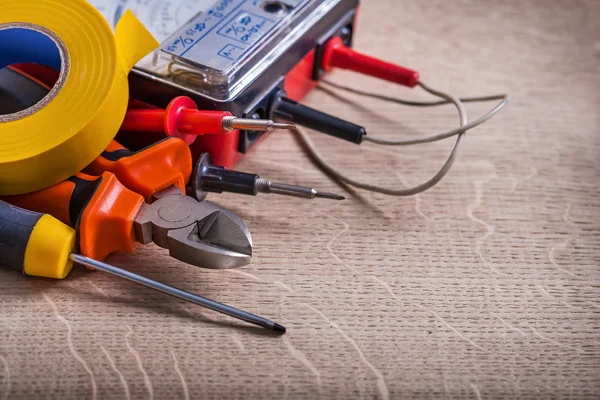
(486, 286)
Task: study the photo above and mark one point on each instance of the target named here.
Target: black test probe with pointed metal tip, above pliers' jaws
(216, 179)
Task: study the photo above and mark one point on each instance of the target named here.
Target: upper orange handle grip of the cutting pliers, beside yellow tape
(165, 164)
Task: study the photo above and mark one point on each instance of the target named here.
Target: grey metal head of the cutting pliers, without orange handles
(198, 233)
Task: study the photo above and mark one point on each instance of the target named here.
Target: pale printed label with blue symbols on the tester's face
(222, 34)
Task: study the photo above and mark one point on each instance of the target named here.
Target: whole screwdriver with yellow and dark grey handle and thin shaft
(40, 245)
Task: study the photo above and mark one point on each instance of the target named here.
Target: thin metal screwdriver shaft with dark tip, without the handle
(181, 294)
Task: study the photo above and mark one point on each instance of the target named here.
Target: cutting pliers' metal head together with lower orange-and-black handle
(108, 217)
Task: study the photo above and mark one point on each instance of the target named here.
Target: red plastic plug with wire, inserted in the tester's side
(337, 55)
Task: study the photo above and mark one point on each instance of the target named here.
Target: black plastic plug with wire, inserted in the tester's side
(295, 112)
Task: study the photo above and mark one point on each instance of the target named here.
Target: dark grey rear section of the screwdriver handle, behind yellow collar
(16, 226)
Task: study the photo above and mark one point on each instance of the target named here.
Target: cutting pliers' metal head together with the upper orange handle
(189, 229)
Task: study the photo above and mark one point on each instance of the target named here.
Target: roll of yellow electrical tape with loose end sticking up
(63, 133)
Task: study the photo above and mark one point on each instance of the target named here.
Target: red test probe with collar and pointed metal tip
(182, 119)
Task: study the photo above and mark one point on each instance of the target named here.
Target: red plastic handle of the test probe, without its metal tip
(181, 119)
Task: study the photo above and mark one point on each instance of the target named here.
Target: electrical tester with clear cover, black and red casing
(241, 56)
